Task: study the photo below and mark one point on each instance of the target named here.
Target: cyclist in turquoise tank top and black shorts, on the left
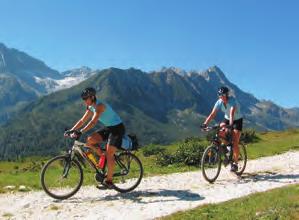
(113, 131)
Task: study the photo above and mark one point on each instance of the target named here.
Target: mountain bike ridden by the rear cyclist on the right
(221, 151)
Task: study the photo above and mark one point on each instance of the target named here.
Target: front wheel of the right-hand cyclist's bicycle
(211, 164)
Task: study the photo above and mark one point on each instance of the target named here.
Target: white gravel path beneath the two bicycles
(156, 196)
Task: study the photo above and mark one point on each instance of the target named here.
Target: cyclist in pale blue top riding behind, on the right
(232, 117)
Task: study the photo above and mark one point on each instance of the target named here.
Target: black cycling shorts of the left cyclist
(113, 134)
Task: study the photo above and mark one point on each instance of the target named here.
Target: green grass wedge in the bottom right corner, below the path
(282, 203)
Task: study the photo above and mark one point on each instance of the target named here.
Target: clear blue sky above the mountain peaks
(255, 42)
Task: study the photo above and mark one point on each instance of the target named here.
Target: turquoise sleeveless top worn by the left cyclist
(108, 117)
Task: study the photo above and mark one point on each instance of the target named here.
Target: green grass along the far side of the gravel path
(28, 172)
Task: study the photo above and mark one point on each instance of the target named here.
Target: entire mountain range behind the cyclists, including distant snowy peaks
(160, 106)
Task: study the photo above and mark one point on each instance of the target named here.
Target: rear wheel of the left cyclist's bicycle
(128, 172)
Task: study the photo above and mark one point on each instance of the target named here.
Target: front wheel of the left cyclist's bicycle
(61, 177)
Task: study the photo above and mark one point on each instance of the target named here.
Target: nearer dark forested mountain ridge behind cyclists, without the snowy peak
(160, 107)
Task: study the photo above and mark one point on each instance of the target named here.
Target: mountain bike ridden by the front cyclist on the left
(62, 176)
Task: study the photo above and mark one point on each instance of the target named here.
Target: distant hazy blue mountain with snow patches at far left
(24, 79)
